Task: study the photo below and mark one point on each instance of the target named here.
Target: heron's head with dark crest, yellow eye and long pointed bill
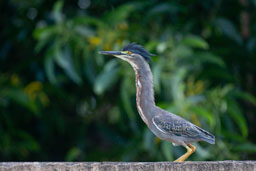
(131, 53)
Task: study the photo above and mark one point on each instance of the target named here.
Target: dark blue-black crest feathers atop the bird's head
(138, 49)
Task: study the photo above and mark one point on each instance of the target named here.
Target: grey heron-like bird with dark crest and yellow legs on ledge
(165, 125)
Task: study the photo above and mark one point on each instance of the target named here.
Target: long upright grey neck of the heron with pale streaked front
(144, 91)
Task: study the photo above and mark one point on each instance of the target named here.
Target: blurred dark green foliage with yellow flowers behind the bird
(62, 101)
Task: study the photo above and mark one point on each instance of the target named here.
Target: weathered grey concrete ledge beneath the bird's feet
(129, 166)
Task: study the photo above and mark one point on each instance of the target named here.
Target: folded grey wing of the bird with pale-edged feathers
(175, 125)
